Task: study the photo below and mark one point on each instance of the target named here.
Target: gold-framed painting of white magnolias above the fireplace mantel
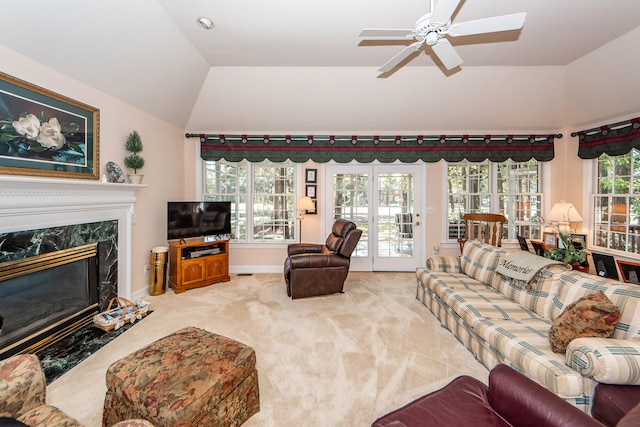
(43, 133)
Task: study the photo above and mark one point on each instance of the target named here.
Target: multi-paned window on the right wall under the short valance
(616, 202)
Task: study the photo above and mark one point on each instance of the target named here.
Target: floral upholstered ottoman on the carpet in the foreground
(189, 378)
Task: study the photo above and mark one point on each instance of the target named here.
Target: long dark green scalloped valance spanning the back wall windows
(386, 149)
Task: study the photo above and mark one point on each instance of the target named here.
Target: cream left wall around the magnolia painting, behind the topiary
(163, 153)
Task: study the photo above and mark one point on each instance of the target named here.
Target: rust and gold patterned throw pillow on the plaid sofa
(593, 315)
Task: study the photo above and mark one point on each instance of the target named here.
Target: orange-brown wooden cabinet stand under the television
(194, 263)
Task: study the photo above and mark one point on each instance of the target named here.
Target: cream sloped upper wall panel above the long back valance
(348, 99)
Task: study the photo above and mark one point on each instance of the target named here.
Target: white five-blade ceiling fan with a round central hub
(434, 26)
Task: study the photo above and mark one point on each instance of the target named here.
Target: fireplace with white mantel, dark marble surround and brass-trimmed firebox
(45, 220)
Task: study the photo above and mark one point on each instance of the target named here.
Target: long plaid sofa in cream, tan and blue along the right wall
(502, 322)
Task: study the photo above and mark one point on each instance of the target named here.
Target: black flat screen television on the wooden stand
(198, 219)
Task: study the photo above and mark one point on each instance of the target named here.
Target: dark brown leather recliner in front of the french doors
(315, 269)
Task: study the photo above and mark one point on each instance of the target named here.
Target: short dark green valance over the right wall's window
(614, 139)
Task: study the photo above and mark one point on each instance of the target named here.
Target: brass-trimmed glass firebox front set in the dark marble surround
(41, 296)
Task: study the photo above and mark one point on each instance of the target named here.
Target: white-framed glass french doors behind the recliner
(382, 200)
